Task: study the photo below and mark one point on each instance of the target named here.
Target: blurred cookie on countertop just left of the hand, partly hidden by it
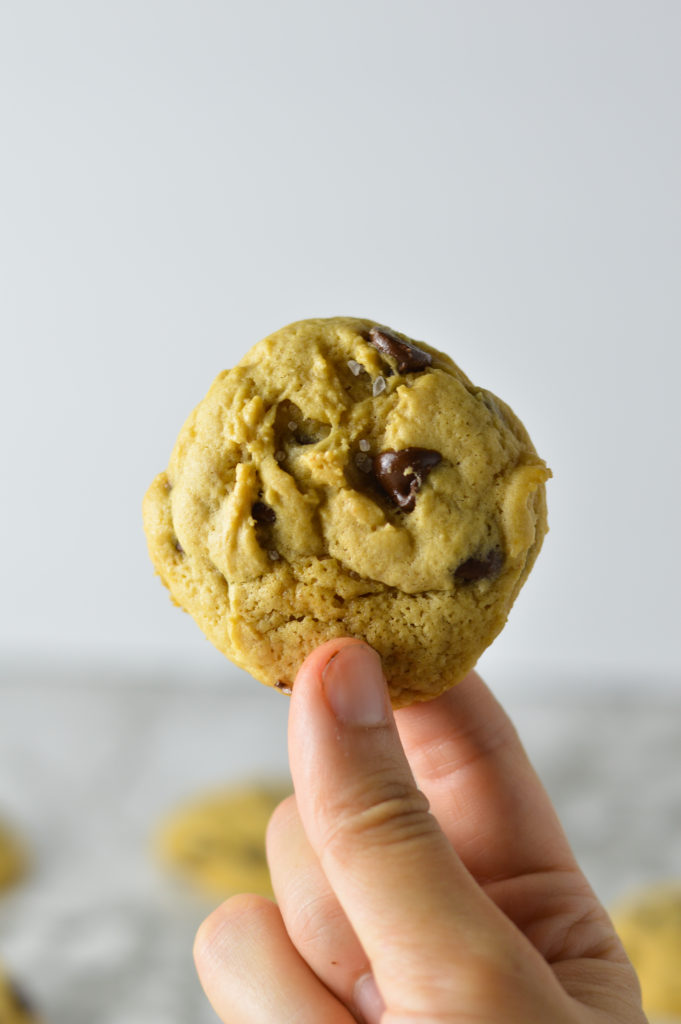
(218, 842)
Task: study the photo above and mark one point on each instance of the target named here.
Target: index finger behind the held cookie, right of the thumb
(469, 759)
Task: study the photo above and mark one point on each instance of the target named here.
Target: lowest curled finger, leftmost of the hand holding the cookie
(252, 974)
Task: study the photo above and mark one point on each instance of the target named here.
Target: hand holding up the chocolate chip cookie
(420, 872)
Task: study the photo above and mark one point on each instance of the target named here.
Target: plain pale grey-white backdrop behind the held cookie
(179, 180)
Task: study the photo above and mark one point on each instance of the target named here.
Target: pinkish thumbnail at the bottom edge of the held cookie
(355, 686)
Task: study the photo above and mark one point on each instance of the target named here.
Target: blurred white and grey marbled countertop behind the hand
(99, 935)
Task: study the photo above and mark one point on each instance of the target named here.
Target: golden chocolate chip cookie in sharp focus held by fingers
(346, 481)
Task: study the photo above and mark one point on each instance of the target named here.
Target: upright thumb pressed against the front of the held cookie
(416, 911)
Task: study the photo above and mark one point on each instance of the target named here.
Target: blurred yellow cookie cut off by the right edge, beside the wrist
(650, 926)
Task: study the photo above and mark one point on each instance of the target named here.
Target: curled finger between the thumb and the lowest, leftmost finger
(314, 918)
